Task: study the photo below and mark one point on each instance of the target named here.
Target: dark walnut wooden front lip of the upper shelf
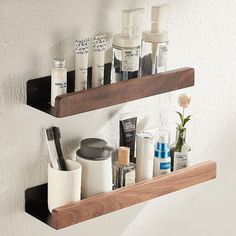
(124, 91)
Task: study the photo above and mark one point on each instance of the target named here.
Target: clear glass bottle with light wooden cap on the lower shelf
(123, 170)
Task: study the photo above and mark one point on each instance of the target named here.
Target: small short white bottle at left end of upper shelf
(58, 79)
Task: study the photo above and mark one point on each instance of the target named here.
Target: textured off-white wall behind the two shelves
(202, 35)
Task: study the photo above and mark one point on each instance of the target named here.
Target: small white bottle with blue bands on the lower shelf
(162, 161)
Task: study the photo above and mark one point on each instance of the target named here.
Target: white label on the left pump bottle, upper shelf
(130, 60)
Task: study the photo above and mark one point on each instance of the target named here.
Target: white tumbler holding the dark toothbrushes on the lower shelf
(64, 186)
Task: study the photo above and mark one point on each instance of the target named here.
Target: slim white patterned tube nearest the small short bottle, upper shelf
(81, 64)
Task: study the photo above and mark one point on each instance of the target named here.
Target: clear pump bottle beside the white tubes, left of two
(126, 49)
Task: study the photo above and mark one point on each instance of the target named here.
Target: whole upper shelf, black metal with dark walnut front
(38, 92)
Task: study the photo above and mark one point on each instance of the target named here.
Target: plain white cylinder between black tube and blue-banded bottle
(144, 156)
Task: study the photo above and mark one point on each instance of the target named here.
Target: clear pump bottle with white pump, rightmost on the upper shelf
(154, 46)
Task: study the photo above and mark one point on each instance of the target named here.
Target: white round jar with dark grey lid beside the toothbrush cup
(95, 158)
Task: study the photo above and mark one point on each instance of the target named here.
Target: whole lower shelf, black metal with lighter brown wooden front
(36, 197)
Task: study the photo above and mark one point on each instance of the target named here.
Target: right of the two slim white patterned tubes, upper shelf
(99, 46)
